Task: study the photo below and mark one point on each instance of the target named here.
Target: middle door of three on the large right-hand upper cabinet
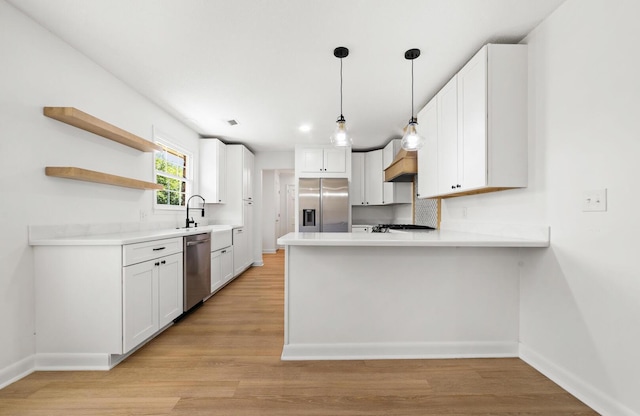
(447, 103)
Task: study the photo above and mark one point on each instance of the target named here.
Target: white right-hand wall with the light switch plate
(580, 299)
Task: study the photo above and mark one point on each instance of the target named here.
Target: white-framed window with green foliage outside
(173, 171)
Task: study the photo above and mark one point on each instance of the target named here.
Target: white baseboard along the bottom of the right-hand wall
(588, 394)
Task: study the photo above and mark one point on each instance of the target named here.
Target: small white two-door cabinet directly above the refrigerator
(323, 161)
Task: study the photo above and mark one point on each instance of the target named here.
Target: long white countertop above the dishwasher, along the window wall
(116, 239)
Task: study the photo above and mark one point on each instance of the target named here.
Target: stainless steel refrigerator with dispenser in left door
(323, 204)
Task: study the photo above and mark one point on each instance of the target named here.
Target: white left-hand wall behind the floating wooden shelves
(40, 70)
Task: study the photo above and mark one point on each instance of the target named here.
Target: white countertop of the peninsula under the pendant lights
(435, 238)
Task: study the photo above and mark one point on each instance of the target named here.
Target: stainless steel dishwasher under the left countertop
(197, 269)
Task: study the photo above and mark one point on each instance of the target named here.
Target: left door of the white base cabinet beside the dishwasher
(140, 301)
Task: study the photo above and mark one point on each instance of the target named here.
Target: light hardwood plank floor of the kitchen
(224, 359)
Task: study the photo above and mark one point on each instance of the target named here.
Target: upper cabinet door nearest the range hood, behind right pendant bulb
(428, 154)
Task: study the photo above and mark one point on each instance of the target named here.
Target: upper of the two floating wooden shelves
(84, 121)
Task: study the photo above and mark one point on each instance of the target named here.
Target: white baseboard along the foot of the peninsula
(383, 351)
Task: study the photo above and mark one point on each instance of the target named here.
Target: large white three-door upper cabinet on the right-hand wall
(485, 149)
